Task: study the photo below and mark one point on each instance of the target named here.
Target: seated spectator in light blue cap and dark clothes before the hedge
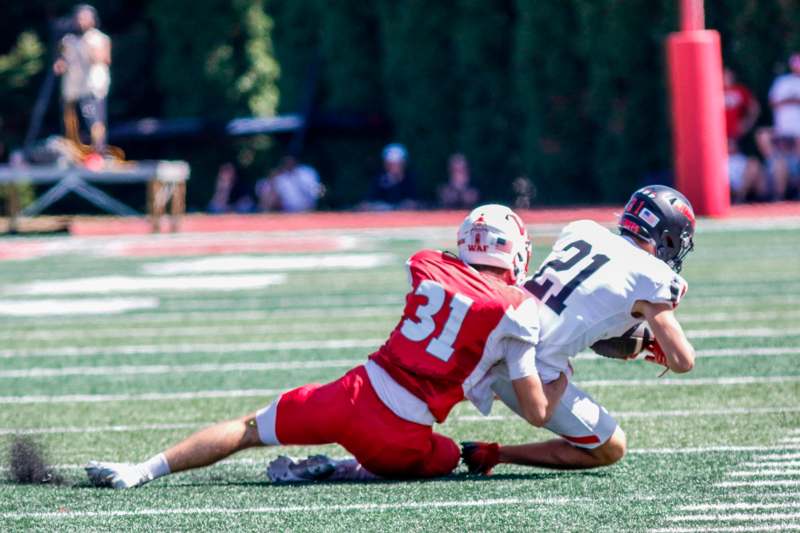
(394, 188)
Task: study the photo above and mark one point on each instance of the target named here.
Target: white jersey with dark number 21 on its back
(588, 286)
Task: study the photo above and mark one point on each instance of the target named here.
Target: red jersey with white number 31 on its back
(451, 332)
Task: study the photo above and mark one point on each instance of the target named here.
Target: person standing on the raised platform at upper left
(85, 78)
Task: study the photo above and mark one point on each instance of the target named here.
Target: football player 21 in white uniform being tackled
(596, 285)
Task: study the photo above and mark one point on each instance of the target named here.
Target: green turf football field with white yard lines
(717, 449)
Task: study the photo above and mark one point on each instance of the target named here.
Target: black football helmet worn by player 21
(663, 217)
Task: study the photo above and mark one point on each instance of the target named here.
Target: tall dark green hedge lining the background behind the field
(570, 93)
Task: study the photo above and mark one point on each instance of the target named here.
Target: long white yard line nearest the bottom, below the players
(327, 508)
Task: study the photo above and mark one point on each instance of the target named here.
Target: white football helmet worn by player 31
(494, 235)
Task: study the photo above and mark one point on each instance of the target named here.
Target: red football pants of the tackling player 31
(349, 412)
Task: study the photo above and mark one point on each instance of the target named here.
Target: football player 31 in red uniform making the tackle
(463, 315)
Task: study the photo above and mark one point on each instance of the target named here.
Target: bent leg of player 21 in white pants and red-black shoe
(590, 437)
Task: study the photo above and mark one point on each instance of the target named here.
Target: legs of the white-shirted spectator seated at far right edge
(782, 162)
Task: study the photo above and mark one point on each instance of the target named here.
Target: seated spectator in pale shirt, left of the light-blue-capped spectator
(291, 188)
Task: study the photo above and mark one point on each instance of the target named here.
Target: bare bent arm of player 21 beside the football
(678, 351)
